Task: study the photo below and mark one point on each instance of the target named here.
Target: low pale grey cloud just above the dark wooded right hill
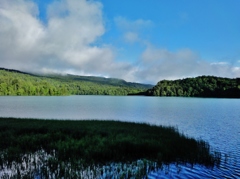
(158, 64)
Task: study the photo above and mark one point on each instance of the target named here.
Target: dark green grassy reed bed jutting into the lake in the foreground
(94, 143)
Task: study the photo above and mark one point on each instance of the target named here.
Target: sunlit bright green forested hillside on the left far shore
(14, 82)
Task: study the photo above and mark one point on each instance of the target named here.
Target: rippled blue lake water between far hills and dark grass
(216, 121)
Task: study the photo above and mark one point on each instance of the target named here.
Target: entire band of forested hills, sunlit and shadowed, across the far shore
(17, 83)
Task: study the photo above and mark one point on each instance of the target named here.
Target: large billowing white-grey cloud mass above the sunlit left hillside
(65, 43)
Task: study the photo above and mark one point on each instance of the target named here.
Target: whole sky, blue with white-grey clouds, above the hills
(137, 40)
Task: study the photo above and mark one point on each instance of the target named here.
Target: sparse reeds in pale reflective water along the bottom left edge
(42, 165)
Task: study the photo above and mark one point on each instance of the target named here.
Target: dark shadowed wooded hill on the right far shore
(203, 86)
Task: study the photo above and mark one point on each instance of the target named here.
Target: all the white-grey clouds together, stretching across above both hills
(70, 42)
